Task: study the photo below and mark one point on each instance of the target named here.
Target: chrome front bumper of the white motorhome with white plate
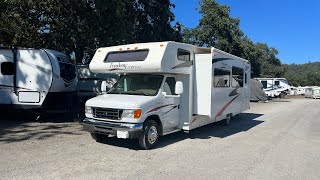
(106, 127)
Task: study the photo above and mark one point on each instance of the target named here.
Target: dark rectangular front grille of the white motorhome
(104, 113)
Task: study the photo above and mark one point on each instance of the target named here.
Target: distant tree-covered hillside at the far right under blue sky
(303, 74)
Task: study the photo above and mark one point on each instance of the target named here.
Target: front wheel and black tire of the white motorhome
(150, 135)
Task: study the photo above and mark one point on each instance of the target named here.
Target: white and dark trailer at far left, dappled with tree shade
(40, 79)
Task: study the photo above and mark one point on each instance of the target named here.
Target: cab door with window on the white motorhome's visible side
(171, 102)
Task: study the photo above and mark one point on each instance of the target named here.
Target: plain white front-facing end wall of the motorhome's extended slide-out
(202, 85)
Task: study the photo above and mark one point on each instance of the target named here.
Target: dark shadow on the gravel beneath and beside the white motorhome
(241, 123)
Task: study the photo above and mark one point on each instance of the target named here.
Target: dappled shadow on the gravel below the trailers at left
(17, 127)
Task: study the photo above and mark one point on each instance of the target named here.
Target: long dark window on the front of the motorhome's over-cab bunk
(127, 56)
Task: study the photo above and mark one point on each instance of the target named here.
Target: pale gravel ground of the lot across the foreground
(275, 140)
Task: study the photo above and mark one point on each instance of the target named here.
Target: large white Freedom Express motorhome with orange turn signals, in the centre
(165, 87)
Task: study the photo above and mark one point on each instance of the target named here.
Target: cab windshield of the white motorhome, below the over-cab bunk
(137, 84)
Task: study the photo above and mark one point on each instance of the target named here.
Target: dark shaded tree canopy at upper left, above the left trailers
(84, 25)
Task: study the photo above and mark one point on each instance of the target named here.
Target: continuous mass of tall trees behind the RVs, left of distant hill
(80, 27)
